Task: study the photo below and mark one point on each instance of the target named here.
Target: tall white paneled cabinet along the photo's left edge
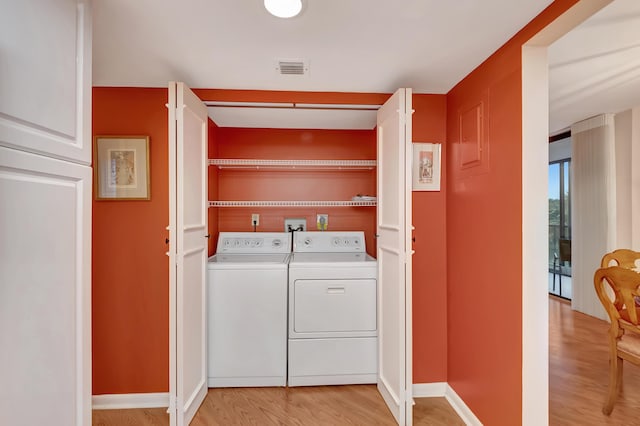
(45, 213)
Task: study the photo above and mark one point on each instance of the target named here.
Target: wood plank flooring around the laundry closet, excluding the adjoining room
(308, 406)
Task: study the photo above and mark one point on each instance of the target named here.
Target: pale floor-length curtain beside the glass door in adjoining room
(593, 215)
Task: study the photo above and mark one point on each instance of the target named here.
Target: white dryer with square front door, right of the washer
(332, 310)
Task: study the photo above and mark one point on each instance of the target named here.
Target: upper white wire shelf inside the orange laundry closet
(255, 164)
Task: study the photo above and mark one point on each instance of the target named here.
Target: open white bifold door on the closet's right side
(394, 255)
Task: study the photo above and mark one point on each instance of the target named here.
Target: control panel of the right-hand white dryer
(329, 242)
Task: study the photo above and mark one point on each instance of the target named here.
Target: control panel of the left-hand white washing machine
(254, 242)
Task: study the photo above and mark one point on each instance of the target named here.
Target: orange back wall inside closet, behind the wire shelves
(296, 184)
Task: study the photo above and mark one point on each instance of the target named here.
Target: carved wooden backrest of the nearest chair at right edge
(624, 283)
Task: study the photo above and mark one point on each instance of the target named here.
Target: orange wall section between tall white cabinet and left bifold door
(130, 284)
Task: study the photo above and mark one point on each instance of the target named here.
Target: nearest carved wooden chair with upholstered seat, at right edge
(624, 332)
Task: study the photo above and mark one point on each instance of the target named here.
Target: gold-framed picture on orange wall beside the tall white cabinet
(121, 168)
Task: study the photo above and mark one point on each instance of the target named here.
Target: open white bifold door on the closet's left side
(188, 233)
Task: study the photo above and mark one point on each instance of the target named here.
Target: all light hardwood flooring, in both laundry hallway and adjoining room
(578, 367)
